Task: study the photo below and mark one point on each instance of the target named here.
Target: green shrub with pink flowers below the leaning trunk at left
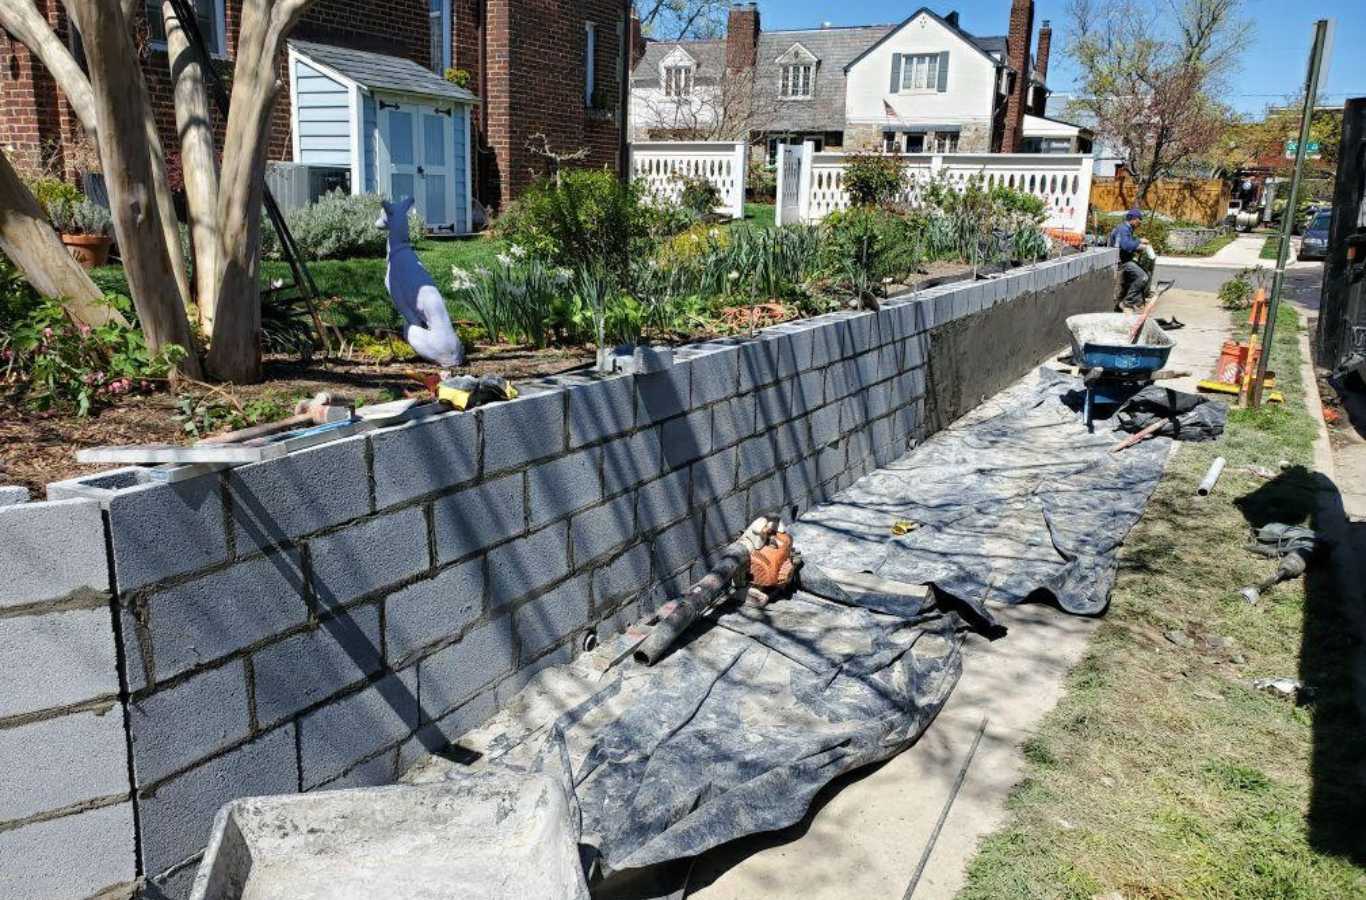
(50, 363)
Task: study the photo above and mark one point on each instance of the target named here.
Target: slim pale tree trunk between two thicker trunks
(197, 162)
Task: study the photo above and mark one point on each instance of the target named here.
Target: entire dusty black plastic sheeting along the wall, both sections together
(738, 729)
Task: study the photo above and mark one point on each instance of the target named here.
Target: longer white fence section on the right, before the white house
(1063, 182)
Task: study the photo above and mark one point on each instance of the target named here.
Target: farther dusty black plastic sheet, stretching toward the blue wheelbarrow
(1016, 506)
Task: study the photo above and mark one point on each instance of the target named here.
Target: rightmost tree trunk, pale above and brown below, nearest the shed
(234, 352)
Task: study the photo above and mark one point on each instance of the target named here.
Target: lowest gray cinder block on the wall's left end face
(70, 857)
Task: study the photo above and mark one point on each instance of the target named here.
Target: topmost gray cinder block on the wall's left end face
(50, 551)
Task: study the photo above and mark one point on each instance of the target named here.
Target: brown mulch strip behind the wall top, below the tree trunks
(38, 449)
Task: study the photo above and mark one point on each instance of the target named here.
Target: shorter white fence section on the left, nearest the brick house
(722, 163)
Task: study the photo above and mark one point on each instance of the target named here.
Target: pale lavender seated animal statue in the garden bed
(415, 293)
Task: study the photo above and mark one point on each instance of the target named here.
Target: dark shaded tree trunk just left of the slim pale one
(122, 119)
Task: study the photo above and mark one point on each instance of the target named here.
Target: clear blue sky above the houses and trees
(1274, 64)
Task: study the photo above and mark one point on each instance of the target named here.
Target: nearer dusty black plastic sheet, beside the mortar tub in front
(737, 730)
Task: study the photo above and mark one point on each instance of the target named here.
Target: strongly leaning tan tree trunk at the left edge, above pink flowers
(31, 244)
